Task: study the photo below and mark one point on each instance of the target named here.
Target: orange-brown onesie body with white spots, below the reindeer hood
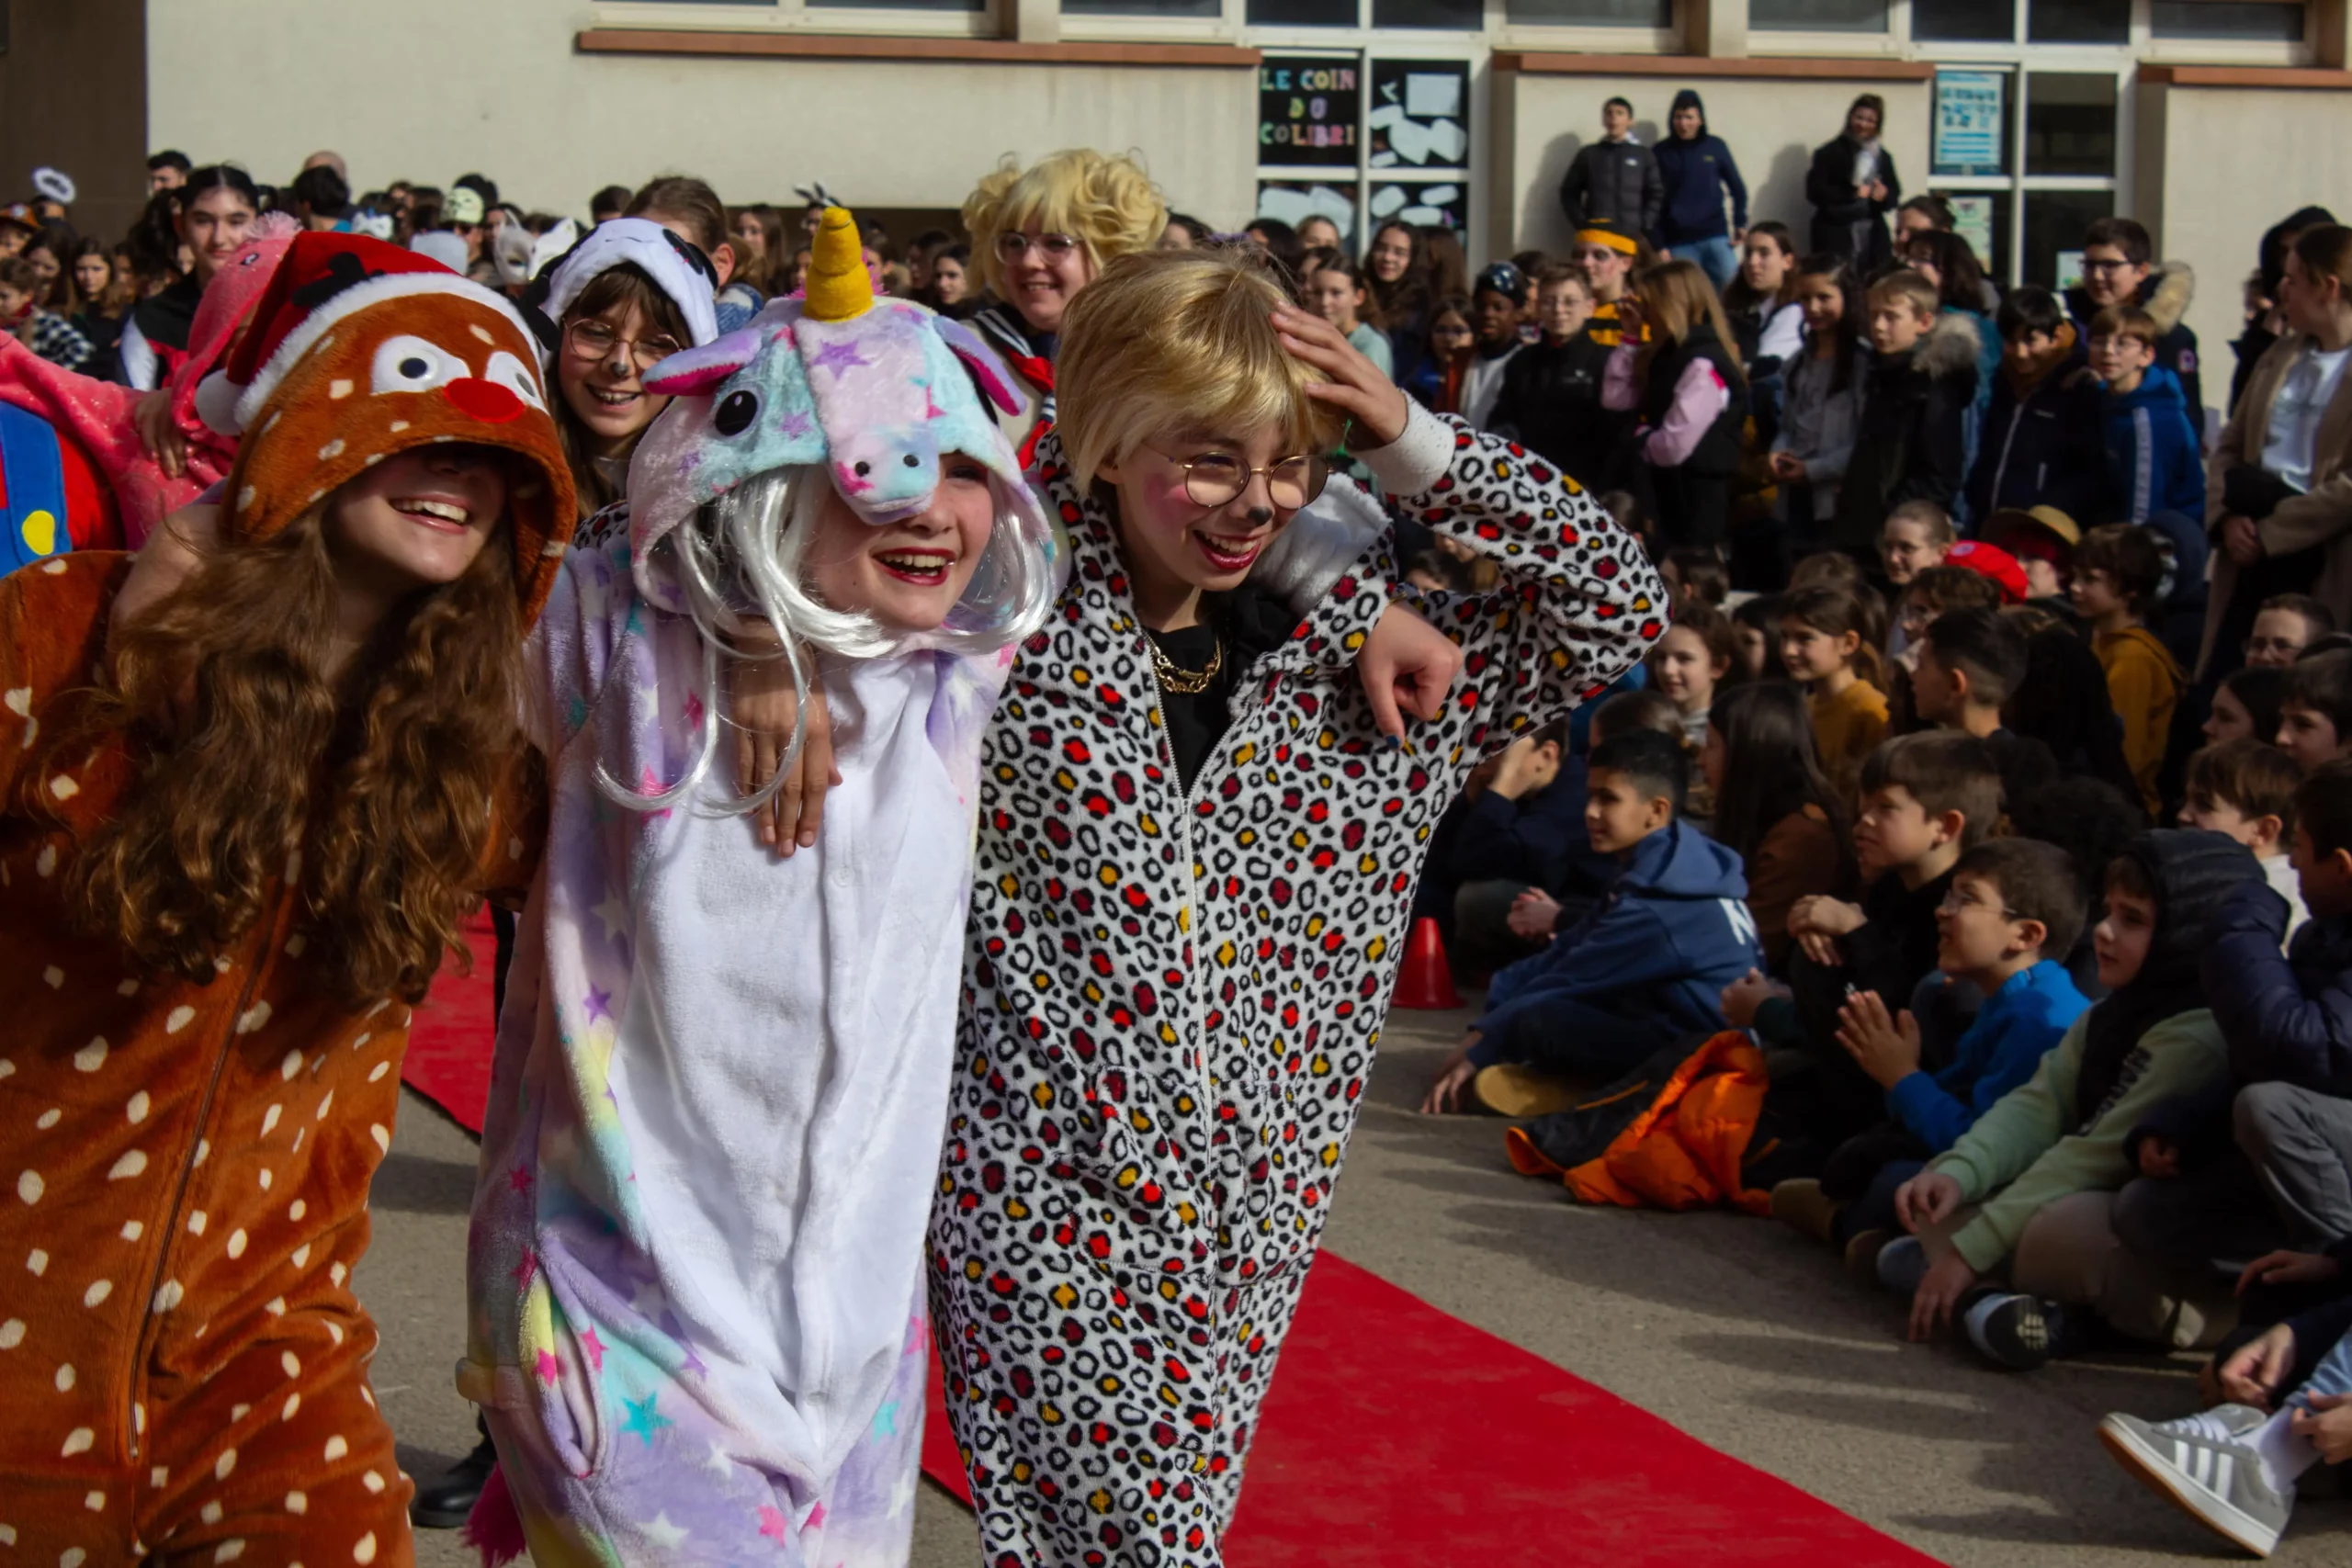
(182, 1362)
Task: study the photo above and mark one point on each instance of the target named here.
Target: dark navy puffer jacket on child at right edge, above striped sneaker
(2287, 1019)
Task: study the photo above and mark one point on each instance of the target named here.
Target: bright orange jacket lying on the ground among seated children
(1671, 1134)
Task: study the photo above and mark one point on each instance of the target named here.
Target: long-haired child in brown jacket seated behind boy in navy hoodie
(1775, 808)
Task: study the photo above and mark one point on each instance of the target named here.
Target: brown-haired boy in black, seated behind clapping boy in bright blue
(1927, 800)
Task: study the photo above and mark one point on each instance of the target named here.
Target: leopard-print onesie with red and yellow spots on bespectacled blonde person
(1175, 1003)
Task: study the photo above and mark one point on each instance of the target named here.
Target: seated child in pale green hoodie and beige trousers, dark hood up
(2026, 1195)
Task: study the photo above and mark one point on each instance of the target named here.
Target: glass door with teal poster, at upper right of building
(2029, 135)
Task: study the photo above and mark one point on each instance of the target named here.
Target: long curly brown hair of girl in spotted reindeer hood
(373, 789)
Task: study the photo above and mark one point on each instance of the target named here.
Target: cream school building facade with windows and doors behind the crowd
(2203, 119)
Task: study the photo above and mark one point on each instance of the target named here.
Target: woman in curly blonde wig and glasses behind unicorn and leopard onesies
(1041, 236)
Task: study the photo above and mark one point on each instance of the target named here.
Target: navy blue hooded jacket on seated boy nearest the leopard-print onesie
(1662, 946)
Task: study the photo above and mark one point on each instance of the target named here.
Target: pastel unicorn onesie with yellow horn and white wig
(721, 1087)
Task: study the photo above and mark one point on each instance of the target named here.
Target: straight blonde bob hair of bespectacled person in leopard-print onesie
(1180, 342)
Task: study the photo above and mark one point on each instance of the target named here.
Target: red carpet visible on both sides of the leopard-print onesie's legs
(1401, 1435)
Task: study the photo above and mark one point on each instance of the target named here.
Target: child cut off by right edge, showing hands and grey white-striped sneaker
(2236, 1468)
